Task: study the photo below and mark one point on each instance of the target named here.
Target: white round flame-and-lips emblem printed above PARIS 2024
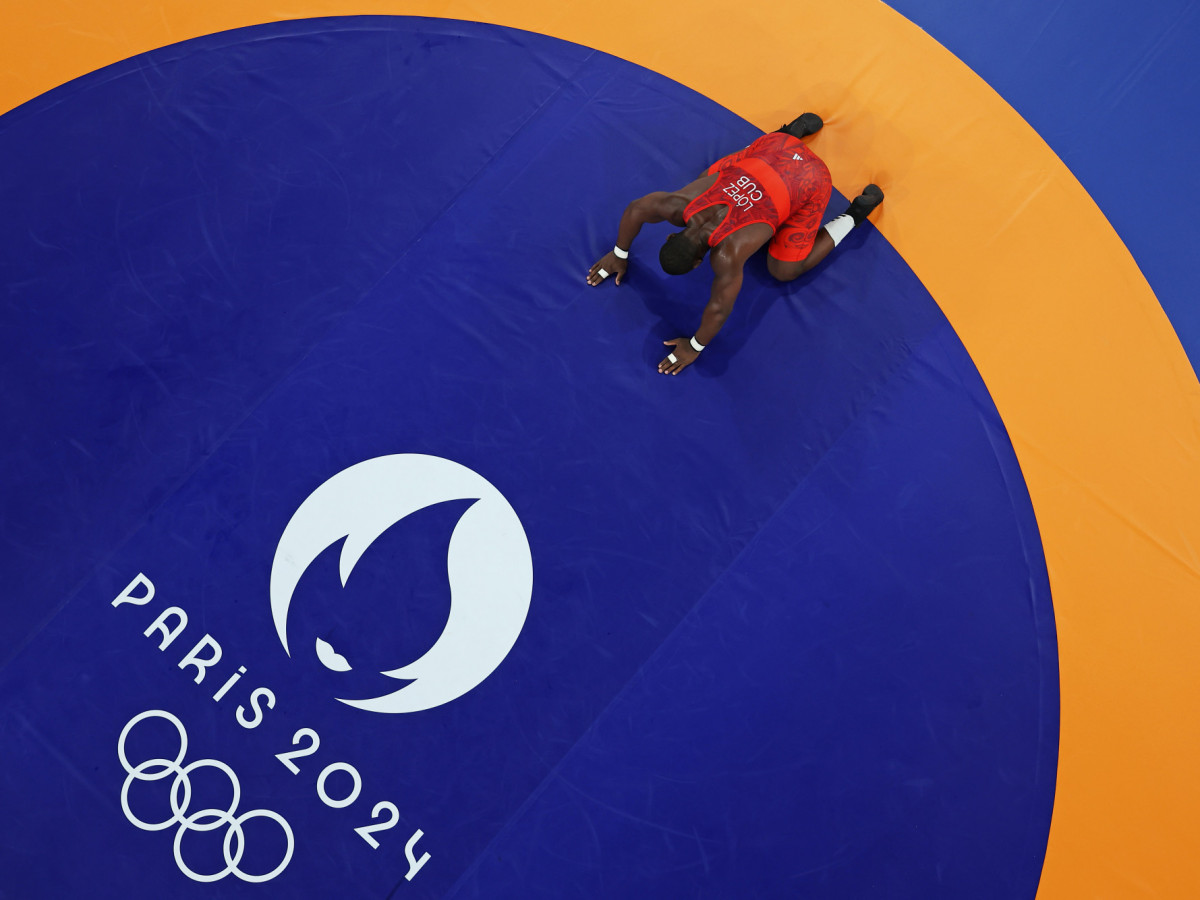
(489, 567)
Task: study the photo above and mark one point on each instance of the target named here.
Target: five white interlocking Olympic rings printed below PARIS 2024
(205, 820)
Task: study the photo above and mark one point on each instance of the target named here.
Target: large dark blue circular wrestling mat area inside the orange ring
(355, 548)
